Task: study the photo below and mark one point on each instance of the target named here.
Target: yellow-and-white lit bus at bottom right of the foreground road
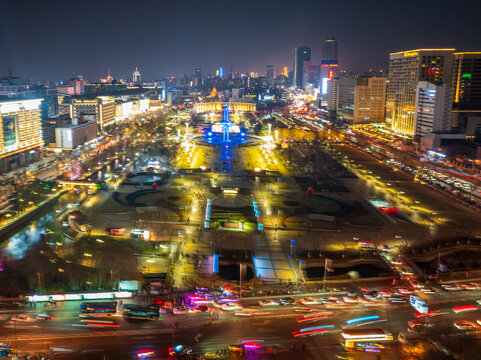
(364, 339)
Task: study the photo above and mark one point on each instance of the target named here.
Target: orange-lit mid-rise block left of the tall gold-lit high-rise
(370, 99)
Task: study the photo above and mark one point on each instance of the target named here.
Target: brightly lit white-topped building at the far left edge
(20, 133)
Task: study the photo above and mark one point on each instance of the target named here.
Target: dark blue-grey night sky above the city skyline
(55, 40)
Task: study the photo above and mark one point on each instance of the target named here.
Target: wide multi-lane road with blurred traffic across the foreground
(271, 326)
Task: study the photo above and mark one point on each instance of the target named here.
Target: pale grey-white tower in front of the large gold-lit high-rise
(432, 108)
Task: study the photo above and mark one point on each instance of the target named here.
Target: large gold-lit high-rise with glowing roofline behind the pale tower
(406, 69)
